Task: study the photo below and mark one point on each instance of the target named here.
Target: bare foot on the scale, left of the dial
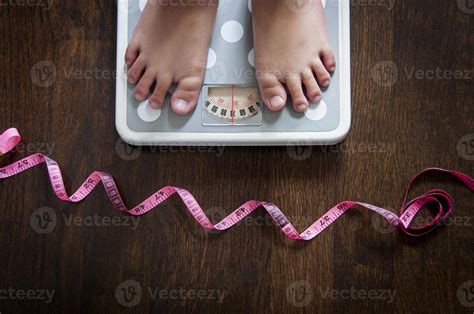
(170, 46)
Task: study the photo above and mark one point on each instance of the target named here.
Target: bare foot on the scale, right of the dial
(291, 48)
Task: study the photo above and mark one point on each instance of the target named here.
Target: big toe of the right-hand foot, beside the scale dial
(272, 92)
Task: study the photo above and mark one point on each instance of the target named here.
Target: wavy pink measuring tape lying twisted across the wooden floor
(441, 199)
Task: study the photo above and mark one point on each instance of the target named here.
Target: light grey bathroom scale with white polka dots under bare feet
(230, 110)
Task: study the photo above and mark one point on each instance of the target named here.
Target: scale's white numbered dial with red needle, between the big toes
(233, 103)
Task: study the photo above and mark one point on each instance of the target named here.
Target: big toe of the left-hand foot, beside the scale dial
(186, 96)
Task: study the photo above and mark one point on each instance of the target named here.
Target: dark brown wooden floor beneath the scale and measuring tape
(57, 87)
